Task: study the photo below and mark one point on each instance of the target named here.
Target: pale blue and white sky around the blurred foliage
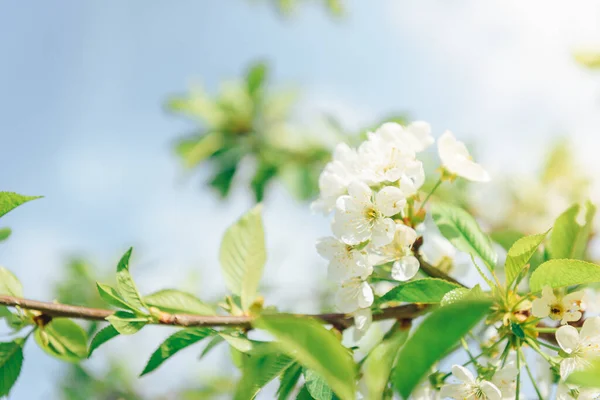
(81, 89)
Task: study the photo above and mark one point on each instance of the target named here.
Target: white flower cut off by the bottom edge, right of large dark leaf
(470, 388)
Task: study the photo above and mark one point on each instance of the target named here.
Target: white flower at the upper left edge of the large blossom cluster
(335, 178)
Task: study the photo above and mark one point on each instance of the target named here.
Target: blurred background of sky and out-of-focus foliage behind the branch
(158, 124)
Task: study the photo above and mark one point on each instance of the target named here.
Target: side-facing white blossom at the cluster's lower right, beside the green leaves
(399, 251)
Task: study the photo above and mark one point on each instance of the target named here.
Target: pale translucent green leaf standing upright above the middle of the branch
(243, 256)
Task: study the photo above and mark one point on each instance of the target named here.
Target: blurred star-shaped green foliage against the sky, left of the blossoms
(248, 122)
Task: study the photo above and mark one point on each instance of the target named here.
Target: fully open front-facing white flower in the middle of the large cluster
(359, 217)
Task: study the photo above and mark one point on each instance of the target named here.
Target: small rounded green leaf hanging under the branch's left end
(63, 339)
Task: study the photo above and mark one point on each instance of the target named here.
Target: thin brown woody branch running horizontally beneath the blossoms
(403, 312)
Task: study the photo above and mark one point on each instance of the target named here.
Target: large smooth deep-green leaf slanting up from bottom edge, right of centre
(432, 340)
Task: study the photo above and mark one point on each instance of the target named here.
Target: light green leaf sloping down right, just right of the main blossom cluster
(461, 229)
